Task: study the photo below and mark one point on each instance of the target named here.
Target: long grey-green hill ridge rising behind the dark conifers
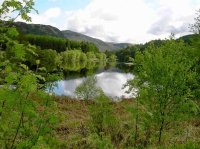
(39, 29)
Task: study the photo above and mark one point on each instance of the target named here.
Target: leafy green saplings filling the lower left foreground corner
(19, 111)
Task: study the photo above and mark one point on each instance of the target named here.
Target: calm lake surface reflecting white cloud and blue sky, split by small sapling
(111, 81)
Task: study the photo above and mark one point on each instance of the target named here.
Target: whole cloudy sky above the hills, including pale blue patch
(132, 21)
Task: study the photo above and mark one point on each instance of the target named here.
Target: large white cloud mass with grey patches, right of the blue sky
(132, 20)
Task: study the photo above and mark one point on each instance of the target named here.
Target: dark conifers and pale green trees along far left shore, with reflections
(74, 55)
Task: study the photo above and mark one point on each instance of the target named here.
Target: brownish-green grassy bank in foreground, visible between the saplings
(73, 130)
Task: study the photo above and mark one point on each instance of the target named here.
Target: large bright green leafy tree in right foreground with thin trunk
(163, 78)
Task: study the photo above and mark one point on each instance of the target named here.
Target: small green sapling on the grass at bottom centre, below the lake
(103, 124)
